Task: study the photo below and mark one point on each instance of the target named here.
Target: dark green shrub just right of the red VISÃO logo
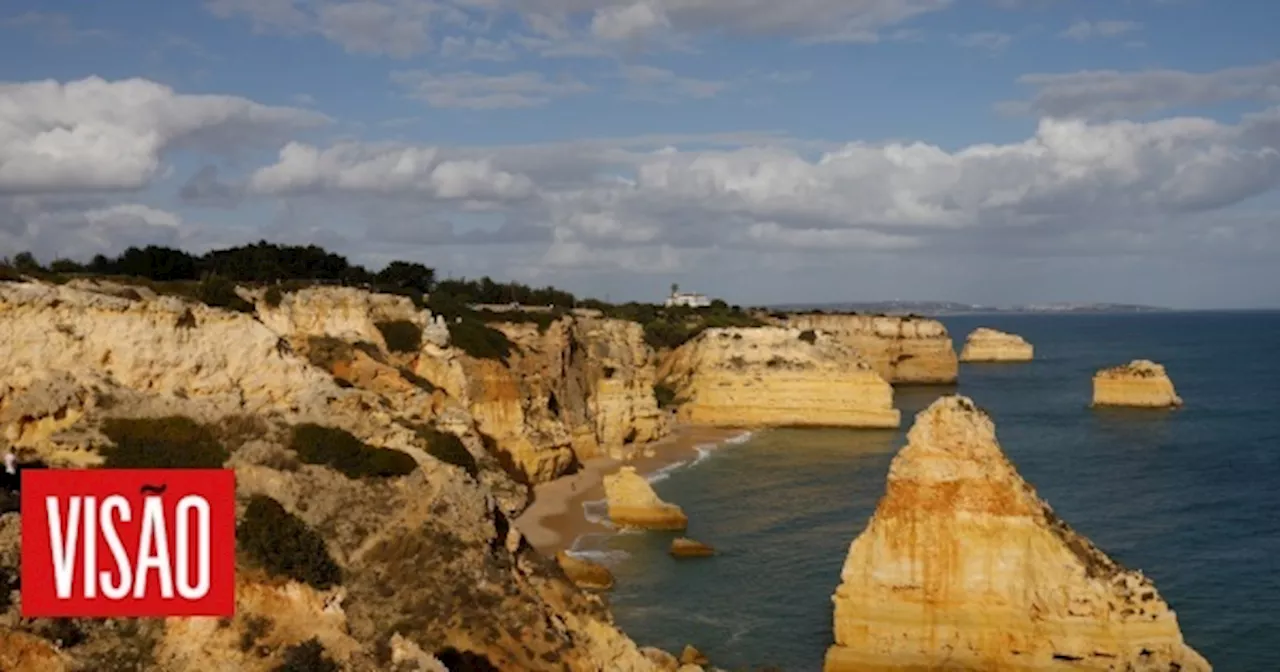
(285, 546)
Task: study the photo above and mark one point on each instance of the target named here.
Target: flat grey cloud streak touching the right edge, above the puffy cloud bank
(1113, 94)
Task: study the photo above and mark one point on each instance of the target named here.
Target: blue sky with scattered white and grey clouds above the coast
(986, 152)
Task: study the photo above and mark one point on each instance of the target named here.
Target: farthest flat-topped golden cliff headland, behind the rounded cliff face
(902, 350)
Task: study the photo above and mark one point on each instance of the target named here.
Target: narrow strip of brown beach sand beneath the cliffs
(556, 519)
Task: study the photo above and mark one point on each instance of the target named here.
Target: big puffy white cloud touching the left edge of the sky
(99, 135)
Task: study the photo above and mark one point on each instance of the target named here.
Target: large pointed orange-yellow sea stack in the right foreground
(964, 568)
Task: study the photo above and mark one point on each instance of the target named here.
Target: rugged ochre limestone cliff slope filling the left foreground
(431, 569)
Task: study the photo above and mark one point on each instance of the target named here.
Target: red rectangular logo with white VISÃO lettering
(129, 543)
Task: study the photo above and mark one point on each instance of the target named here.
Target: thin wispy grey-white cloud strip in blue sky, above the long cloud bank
(483, 92)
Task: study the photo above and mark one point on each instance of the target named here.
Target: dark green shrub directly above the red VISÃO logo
(173, 442)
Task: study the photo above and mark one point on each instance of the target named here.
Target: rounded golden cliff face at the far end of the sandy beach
(776, 377)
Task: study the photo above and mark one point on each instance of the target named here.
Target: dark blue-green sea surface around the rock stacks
(1191, 497)
